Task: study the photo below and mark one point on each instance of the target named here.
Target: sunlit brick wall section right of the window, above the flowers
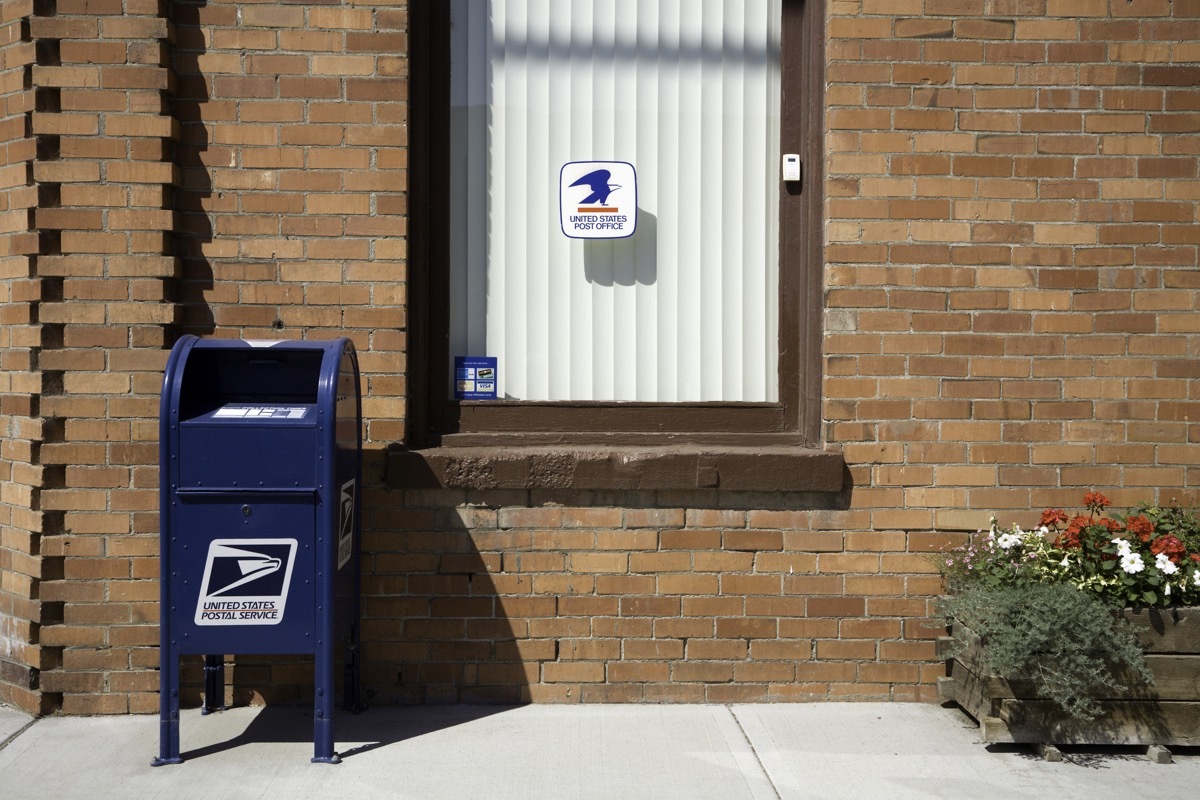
(1012, 254)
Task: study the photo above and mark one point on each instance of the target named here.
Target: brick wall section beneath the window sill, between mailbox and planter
(661, 597)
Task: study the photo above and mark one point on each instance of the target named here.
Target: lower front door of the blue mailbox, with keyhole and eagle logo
(243, 574)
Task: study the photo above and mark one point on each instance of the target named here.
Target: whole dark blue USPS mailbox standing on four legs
(261, 476)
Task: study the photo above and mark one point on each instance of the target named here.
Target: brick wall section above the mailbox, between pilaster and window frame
(292, 181)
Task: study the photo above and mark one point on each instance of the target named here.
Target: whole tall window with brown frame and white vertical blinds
(701, 327)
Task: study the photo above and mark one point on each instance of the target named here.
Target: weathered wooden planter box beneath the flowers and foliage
(1166, 713)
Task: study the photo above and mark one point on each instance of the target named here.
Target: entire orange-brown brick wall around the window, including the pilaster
(1012, 286)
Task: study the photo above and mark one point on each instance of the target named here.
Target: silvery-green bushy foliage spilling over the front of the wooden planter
(1071, 645)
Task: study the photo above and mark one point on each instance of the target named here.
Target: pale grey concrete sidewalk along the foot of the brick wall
(691, 753)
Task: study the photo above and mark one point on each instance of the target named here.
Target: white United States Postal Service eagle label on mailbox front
(247, 582)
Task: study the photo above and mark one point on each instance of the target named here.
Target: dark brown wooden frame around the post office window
(436, 423)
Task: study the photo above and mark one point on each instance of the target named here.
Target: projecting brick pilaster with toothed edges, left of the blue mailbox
(105, 175)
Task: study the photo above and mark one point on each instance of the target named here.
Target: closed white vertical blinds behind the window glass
(687, 309)
